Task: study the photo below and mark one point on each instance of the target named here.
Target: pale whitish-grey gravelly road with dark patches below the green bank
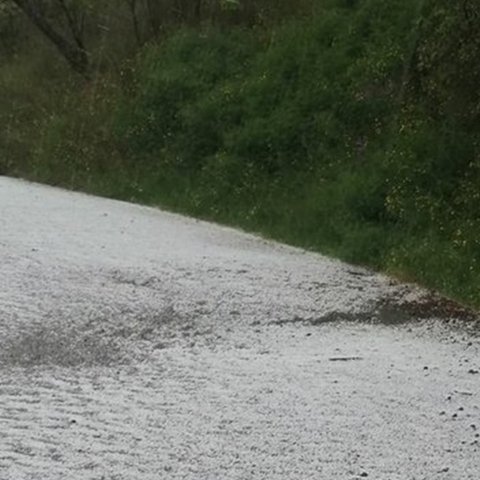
(137, 344)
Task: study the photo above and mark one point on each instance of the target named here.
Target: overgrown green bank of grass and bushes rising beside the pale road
(346, 126)
